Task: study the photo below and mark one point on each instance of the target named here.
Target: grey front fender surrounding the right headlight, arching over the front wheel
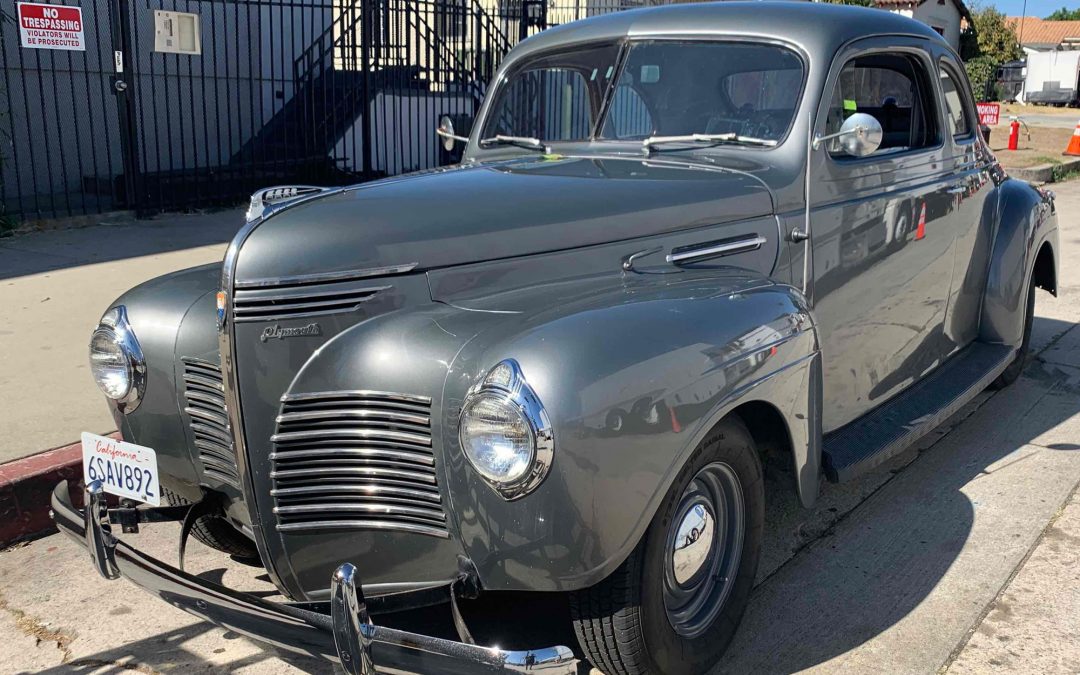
(633, 372)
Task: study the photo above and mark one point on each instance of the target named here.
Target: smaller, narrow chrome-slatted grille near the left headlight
(205, 398)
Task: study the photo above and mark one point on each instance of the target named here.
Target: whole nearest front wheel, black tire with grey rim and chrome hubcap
(674, 605)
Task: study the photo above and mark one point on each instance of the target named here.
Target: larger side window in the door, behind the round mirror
(897, 91)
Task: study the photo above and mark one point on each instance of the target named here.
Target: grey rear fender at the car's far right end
(1027, 220)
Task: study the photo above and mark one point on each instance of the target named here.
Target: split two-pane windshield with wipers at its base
(661, 89)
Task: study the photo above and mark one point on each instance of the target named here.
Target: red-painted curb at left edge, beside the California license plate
(28, 484)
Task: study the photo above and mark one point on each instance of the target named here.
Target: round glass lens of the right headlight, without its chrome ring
(497, 439)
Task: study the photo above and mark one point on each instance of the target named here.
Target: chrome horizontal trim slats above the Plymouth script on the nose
(296, 300)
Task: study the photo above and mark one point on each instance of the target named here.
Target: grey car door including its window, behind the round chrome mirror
(883, 265)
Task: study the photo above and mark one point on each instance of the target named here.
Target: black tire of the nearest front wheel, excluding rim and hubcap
(623, 624)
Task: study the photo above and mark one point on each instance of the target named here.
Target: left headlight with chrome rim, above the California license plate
(116, 360)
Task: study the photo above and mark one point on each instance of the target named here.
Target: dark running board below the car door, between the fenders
(892, 429)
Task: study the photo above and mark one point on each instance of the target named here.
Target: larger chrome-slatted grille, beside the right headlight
(356, 461)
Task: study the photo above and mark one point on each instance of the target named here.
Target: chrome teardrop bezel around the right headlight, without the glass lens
(505, 385)
